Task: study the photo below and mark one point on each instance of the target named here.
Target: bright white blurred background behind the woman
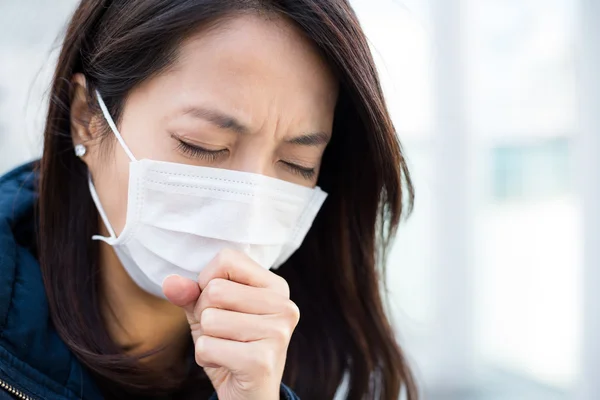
(494, 282)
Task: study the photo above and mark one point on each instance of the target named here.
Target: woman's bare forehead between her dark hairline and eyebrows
(251, 62)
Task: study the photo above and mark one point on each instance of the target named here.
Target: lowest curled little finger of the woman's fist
(238, 357)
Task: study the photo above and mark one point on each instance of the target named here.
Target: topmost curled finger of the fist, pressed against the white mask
(238, 267)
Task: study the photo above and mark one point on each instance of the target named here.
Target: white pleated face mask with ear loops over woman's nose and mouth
(179, 217)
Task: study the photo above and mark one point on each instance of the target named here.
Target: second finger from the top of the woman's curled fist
(233, 296)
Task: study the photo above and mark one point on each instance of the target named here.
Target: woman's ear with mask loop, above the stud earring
(82, 130)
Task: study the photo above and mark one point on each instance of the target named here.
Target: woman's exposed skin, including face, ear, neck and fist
(255, 92)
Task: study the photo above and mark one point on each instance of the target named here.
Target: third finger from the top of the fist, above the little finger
(232, 325)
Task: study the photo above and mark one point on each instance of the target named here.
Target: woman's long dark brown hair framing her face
(335, 277)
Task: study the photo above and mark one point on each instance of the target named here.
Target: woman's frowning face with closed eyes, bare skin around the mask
(250, 94)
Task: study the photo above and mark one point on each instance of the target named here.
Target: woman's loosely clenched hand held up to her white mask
(241, 318)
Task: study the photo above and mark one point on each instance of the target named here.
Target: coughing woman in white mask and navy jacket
(188, 148)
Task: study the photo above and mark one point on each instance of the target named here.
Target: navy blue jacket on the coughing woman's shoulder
(34, 362)
